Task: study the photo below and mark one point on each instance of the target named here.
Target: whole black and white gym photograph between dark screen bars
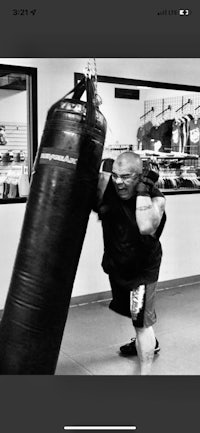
(100, 220)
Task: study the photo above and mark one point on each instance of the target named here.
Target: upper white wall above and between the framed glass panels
(55, 76)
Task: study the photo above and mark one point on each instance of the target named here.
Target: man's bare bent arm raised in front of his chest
(149, 212)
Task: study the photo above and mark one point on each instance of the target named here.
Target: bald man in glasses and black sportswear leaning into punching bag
(132, 212)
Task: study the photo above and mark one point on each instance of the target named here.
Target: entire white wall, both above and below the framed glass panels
(181, 239)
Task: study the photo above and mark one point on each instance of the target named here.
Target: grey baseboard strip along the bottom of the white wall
(101, 296)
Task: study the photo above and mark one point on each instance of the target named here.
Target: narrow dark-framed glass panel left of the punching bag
(15, 137)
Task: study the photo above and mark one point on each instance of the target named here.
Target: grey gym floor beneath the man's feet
(93, 334)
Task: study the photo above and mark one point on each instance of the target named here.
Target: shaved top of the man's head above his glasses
(129, 160)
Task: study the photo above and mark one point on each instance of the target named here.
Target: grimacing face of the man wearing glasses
(124, 179)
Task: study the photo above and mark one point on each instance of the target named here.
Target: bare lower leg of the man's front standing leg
(145, 344)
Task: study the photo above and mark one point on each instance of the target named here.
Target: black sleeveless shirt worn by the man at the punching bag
(129, 257)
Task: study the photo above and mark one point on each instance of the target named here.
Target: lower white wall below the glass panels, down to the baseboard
(180, 242)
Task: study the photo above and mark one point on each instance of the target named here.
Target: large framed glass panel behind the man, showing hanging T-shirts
(160, 121)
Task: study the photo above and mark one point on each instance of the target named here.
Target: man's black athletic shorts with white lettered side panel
(138, 304)
